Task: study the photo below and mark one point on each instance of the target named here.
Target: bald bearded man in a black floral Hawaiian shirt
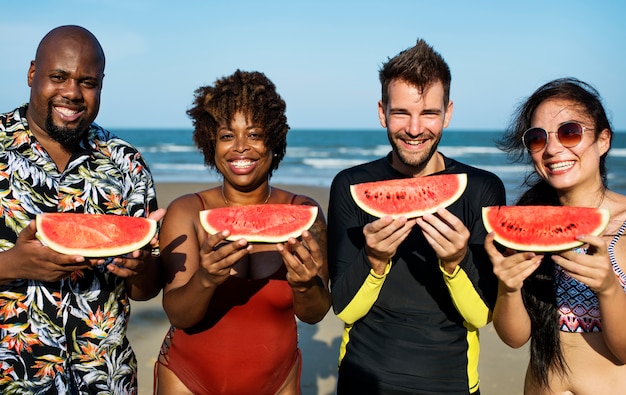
(63, 318)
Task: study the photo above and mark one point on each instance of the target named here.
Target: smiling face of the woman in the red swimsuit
(241, 155)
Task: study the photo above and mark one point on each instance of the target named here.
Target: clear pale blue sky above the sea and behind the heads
(324, 55)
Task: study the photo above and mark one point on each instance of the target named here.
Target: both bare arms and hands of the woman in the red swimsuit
(195, 266)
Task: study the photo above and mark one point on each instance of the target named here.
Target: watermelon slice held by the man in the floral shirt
(94, 235)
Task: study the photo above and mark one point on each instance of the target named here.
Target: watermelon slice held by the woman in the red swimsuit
(263, 223)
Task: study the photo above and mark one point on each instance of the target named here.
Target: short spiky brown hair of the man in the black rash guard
(420, 66)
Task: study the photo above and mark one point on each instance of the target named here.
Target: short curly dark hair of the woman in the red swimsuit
(251, 93)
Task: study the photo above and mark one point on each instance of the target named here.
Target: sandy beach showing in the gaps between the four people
(501, 368)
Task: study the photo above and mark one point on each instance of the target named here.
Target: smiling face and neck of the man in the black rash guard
(415, 121)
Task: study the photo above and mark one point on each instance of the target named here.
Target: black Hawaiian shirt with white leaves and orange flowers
(68, 336)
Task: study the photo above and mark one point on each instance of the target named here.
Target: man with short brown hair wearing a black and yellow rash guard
(412, 292)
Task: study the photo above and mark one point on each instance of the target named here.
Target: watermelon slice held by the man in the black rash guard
(409, 197)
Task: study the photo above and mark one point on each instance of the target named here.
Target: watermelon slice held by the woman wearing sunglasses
(543, 228)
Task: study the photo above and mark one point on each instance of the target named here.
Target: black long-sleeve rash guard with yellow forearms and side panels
(415, 328)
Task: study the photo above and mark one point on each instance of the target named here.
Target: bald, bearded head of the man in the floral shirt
(66, 82)
